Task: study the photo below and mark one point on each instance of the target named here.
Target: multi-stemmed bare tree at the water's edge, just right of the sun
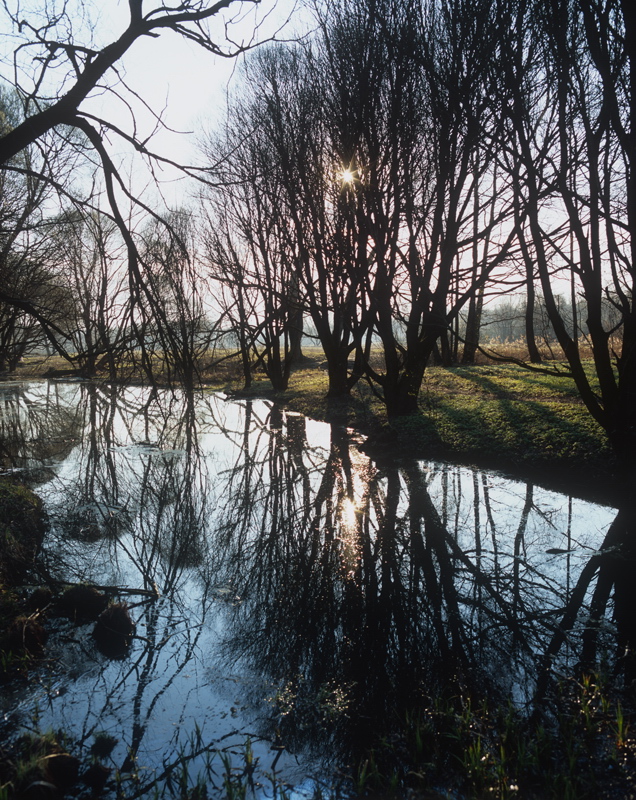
(426, 120)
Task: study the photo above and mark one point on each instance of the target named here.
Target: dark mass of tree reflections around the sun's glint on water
(364, 592)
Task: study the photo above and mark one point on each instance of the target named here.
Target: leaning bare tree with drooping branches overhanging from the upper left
(58, 67)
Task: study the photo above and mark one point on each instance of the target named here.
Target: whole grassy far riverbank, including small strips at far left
(527, 424)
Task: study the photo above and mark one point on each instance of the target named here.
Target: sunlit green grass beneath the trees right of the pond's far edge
(500, 416)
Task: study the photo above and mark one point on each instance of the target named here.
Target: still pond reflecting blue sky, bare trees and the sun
(291, 597)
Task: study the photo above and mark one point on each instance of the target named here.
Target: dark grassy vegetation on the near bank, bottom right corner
(453, 747)
